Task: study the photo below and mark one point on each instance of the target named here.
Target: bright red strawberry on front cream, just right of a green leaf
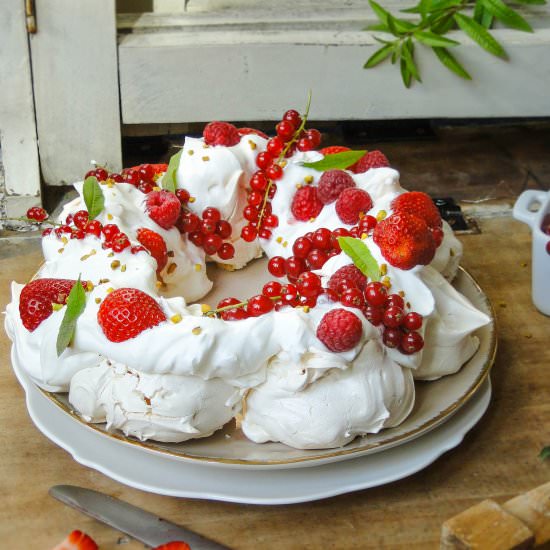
(127, 312)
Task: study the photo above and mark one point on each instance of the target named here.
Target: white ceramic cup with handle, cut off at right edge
(531, 208)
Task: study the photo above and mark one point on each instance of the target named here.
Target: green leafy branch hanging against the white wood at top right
(435, 19)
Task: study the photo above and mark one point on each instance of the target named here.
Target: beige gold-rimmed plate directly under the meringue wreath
(435, 403)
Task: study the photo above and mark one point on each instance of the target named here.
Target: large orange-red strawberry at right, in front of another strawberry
(405, 241)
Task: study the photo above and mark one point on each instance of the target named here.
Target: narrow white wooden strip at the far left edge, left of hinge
(17, 124)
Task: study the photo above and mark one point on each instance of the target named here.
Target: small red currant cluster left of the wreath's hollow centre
(207, 232)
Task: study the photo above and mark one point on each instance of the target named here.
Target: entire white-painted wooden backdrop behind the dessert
(94, 70)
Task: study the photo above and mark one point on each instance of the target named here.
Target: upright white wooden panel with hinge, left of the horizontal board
(74, 59)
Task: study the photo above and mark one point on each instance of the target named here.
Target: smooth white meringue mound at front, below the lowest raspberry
(322, 403)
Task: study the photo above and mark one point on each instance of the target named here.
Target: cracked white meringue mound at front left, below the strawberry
(161, 406)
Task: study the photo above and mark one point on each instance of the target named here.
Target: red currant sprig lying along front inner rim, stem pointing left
(274, 295)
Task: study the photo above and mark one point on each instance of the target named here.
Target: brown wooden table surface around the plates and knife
(497, 459)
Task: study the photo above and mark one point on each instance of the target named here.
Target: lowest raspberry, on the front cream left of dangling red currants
(340, 330)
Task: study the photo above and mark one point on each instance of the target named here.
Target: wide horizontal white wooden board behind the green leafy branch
(199, 75)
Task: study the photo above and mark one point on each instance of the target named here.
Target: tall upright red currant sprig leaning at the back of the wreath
(290, 137)
